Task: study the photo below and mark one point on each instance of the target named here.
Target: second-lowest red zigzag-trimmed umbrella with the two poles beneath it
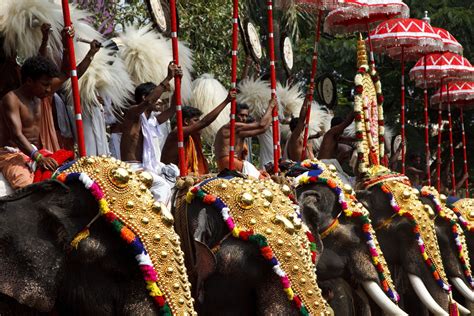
(442, 69)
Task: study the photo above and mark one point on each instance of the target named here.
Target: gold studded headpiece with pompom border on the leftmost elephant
(145, 225)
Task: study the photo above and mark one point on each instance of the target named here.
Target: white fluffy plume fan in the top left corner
(21, 20)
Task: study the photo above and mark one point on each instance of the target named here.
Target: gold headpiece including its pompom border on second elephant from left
(259, 212)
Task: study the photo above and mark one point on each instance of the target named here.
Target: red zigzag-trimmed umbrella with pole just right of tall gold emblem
(396, 35)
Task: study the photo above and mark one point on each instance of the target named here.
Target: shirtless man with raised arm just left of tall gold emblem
(332, 138)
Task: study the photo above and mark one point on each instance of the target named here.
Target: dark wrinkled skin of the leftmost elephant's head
(41, 273)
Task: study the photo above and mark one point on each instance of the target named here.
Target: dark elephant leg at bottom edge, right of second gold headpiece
(339, 296)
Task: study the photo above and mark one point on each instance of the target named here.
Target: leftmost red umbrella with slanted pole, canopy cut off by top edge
(318, 6)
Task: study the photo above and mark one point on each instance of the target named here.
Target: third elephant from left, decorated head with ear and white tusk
(351, 248)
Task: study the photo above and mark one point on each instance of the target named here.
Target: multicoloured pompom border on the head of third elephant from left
(320, 173)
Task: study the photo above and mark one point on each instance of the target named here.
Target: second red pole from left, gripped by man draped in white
(177, 93)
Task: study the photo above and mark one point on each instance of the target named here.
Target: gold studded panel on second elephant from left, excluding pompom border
(262, 207)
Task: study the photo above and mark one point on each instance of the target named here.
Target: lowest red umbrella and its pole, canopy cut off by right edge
(461, 94)
